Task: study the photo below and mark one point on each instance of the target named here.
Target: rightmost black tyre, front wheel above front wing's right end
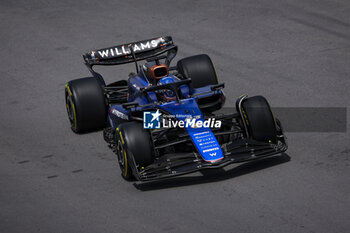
(259, 119)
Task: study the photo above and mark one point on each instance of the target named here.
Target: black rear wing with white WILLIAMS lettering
(132, 52)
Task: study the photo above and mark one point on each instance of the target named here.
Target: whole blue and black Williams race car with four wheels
(162, 121)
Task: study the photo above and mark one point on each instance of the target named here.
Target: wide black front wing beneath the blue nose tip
(177, 164)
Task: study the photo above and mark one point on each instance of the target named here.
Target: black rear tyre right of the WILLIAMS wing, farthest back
(199, 69)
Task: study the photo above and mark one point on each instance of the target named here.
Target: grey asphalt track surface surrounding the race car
(296, 53)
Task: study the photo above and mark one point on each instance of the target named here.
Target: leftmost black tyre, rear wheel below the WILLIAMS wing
(85, 104)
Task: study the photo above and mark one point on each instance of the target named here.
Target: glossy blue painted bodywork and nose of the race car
(203, 138)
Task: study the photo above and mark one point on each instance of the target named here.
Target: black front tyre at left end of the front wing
(133, 143)
